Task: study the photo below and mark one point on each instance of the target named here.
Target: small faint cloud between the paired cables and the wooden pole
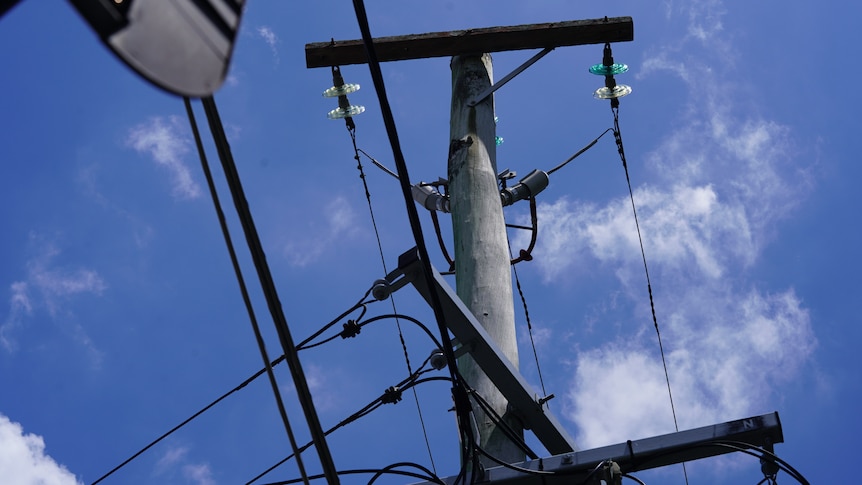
(339, 222)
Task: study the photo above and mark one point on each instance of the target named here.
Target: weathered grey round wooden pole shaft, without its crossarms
(482, 269)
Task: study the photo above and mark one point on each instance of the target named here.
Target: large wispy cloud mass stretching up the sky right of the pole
(724, 177)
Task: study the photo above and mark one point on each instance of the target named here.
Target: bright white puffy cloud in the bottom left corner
(23, 460)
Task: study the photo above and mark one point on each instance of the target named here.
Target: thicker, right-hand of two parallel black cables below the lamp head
(268, 287)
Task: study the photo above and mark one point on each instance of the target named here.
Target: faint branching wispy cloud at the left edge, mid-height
(49, 287)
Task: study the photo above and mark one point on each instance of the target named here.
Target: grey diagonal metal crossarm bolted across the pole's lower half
(473, 337)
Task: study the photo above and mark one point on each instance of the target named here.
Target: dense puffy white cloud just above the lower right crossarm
(725, 355)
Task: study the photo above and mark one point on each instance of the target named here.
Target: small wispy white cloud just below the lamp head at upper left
(166, 143)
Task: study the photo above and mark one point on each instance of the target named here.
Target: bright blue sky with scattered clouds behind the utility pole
(120, 315)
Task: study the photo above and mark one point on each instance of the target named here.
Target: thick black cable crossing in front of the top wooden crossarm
(459, 393)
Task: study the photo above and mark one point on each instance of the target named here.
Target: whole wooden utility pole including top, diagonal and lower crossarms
(481, 314)
